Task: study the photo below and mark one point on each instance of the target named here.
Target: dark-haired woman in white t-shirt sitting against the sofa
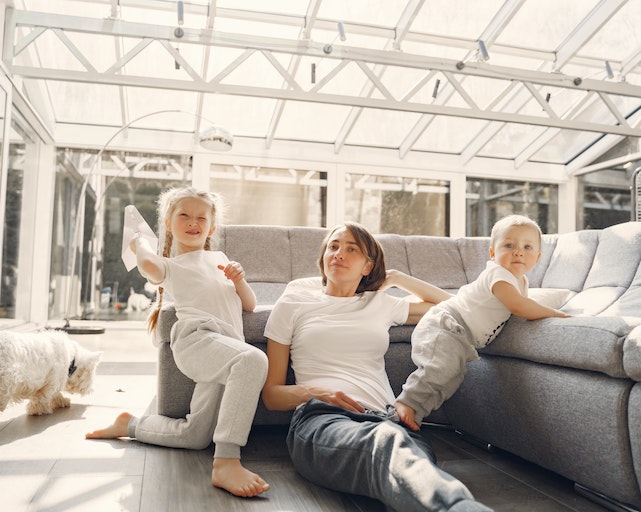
(345, 433)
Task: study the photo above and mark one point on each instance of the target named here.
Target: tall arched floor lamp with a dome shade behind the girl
(214, 138)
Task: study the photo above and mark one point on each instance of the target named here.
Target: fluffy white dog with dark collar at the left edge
(38, 366)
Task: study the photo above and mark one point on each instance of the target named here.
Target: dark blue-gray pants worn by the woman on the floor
(370, 455)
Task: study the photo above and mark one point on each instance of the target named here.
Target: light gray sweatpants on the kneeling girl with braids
(229, 376)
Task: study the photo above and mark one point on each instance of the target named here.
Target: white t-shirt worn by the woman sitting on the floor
(339, 342)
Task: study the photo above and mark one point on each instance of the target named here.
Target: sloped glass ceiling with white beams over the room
(536, 82)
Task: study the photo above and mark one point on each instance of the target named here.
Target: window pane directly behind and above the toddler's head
(489, 200)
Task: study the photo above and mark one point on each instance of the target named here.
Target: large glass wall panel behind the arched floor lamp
(118, 180)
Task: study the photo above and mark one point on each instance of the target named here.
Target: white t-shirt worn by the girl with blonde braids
(201, 290)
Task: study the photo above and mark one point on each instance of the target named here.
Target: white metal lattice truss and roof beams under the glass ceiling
(521, 86)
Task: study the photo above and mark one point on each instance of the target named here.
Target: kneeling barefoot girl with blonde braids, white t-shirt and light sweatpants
(210, 293)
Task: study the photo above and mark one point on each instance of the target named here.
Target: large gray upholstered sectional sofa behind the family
(562, 393)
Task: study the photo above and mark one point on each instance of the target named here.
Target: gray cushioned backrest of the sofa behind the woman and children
(601, 266)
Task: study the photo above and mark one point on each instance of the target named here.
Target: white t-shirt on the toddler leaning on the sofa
(483, 313)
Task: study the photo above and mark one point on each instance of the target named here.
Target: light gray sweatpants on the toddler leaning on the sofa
(441, 349)
